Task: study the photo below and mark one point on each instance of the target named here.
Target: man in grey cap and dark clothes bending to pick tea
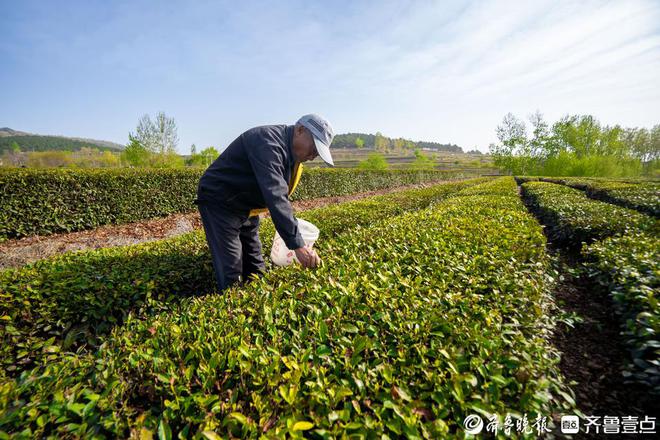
(257, 173)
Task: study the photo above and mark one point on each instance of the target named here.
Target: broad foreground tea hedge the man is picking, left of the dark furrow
(409, 326)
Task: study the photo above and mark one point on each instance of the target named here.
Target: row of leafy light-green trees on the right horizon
(575, 145)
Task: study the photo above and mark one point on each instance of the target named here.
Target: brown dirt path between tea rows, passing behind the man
(15, 253)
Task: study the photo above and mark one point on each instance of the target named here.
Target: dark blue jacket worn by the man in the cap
(253, 172)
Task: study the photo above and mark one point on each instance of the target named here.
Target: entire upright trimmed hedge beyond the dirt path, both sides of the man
(47, 201)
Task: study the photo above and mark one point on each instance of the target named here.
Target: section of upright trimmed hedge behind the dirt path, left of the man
(46, 201)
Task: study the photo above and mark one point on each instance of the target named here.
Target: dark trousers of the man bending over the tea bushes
(234, 243)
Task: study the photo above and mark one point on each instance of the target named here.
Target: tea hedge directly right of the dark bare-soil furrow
(624, 261)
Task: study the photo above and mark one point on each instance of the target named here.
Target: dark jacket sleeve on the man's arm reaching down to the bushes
(268, 162)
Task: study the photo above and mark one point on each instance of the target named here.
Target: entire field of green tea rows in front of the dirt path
(431, 305)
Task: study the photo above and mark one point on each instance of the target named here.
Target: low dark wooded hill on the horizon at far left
(35, 142)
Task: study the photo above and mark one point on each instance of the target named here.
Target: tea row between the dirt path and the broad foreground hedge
(68, 300)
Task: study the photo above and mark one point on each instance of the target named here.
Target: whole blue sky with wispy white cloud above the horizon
(439, 71)
